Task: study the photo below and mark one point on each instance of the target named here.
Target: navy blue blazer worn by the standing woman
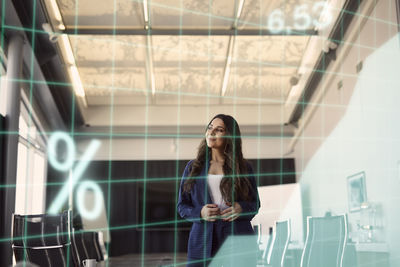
(190, 204)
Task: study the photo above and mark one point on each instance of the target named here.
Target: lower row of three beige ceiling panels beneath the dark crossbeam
(188, 69)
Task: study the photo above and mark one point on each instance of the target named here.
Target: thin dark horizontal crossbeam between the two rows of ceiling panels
(179, 32)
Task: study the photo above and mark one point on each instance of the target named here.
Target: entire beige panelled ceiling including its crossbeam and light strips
(187, 53)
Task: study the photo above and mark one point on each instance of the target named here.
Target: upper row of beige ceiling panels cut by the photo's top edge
(173, 13)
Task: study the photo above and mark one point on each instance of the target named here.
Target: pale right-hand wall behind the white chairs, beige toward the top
(356, 129)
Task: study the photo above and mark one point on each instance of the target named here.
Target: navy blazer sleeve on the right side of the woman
(250, 208)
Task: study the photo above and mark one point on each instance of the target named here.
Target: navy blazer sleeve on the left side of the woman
(186, 208)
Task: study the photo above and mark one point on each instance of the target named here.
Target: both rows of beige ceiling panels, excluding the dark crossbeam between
(188, 69)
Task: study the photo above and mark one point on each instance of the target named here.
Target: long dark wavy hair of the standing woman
(235, 166)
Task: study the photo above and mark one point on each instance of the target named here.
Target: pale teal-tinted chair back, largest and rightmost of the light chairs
(325, 242)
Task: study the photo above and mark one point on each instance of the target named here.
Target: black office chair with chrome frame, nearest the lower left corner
(42, 239)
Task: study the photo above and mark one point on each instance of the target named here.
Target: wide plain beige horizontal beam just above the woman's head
(250, 114)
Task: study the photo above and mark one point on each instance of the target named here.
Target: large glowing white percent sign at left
(77, 172)
